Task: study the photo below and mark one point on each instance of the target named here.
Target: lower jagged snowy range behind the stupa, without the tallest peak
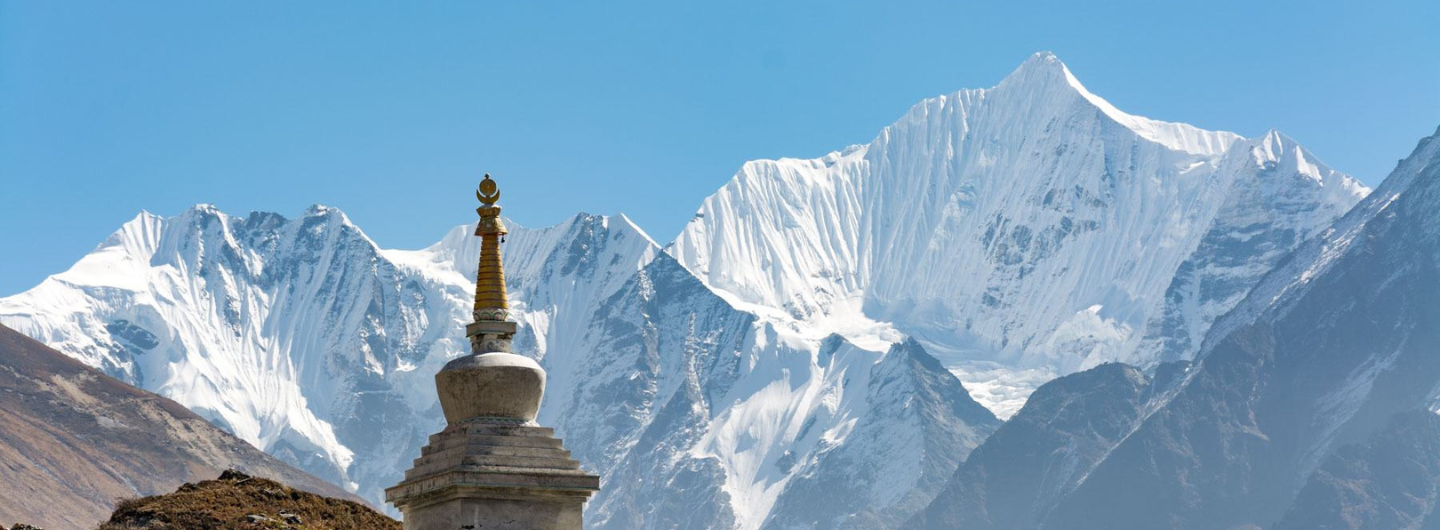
(306, 339)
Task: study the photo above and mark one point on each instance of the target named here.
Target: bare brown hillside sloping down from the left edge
(76, 441)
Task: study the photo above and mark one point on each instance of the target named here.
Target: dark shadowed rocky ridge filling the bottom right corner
(1392, 482)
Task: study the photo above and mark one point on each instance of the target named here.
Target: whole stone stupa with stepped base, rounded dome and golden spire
(493, 467)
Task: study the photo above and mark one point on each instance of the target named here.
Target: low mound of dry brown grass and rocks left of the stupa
(240, 502)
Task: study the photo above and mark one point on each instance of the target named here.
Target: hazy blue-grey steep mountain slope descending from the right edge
(1324, 352)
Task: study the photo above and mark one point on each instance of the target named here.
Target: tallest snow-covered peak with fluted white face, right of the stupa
(1030, 227)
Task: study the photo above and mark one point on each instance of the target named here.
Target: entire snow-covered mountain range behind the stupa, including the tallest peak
(822, 348)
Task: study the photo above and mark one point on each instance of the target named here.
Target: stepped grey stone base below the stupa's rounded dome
(495, 475)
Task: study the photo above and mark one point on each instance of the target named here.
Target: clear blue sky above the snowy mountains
(392, 110)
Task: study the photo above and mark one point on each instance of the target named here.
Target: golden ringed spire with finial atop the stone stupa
(493, 329)
